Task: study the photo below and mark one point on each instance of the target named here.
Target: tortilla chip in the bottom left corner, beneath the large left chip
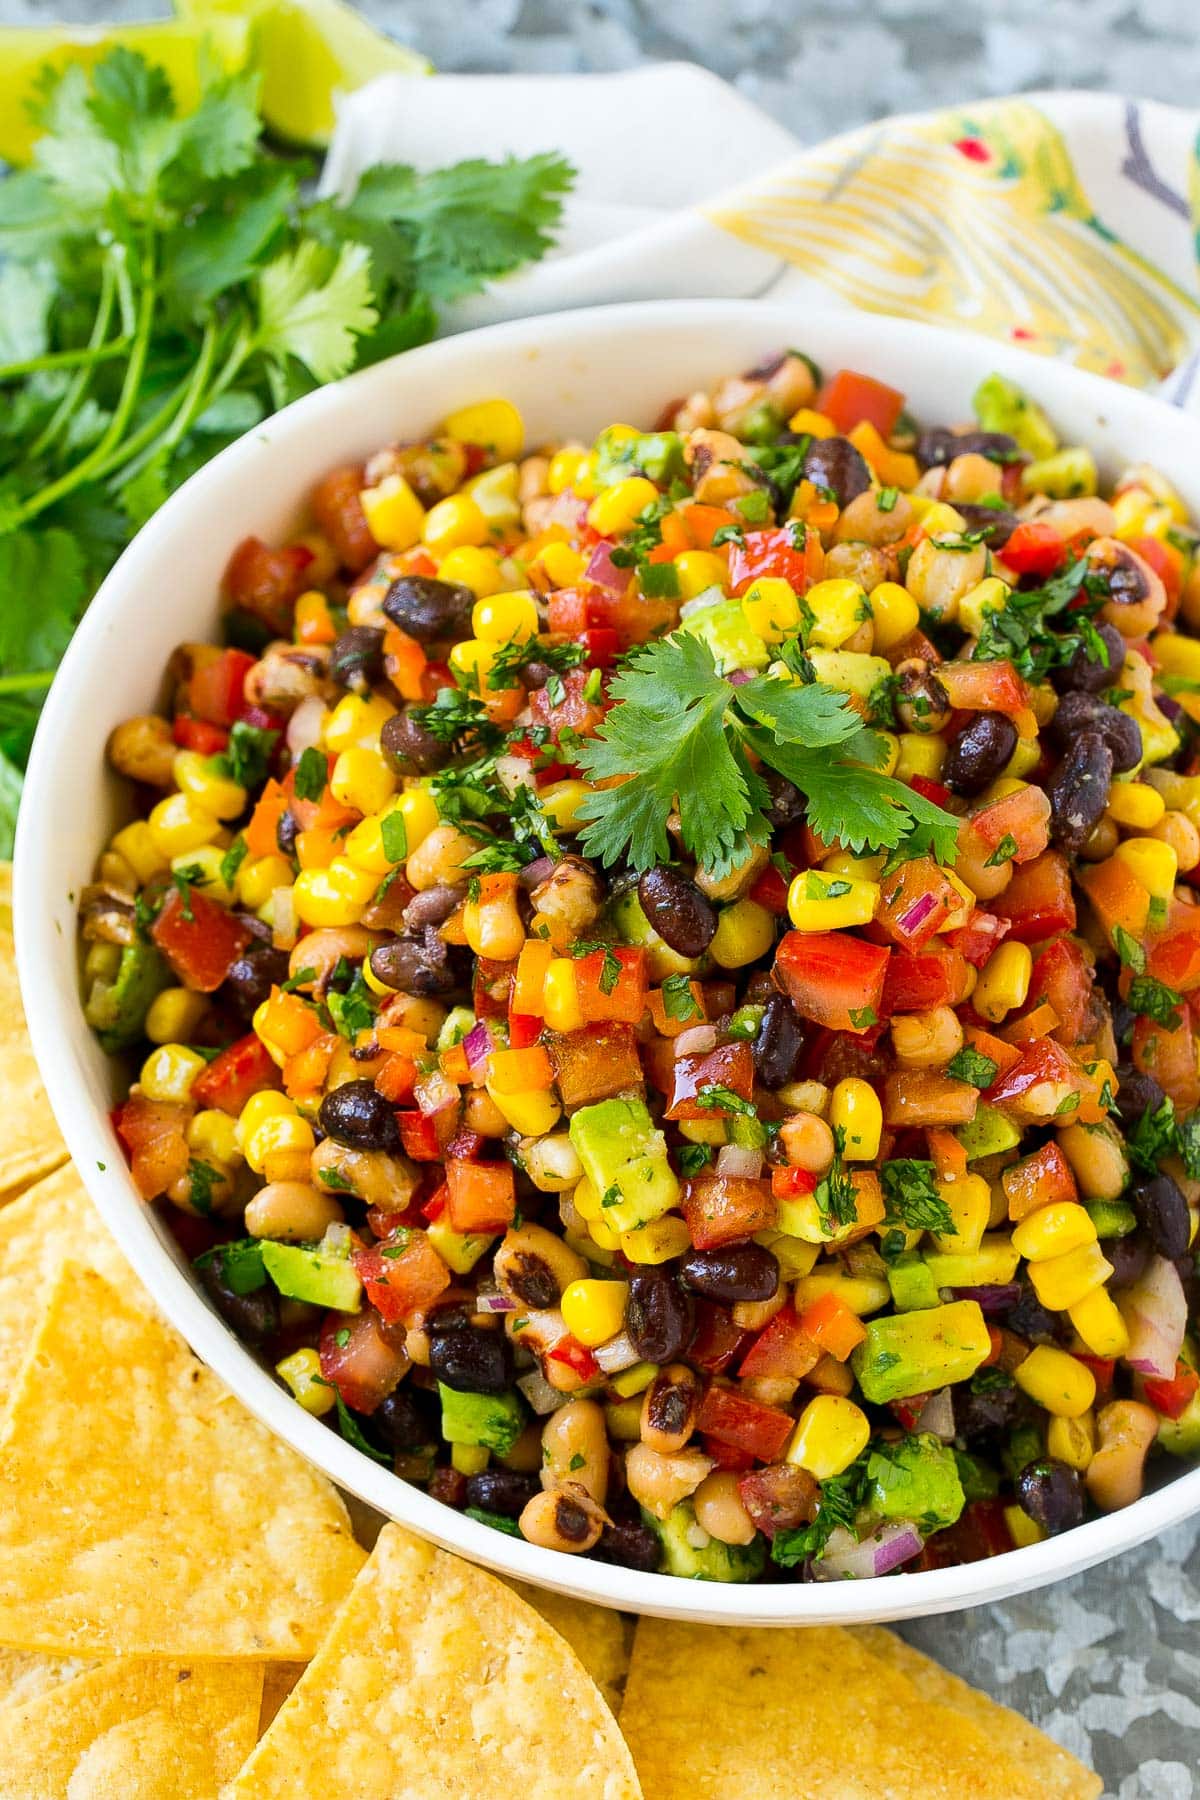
(138, 1731)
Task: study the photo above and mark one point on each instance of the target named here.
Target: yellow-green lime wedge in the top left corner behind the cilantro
(174, 44)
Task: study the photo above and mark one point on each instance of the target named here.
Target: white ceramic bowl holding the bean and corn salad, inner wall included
(569, 373)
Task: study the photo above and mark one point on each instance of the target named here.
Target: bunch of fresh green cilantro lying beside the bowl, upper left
(166, 283)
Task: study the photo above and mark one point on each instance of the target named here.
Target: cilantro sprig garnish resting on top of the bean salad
(688, 741)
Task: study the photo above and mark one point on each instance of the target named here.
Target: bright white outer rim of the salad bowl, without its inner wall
(58, 1027)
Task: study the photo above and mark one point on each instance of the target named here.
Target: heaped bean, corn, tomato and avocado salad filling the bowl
(661, 975)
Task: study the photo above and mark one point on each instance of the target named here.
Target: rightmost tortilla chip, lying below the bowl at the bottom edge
(726, 1713)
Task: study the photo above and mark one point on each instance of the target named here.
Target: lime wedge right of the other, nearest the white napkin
(309, 53)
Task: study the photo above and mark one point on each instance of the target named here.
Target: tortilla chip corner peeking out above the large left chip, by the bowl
(51, 1223)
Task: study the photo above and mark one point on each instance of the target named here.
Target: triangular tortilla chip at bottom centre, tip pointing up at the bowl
(440, 1680)
